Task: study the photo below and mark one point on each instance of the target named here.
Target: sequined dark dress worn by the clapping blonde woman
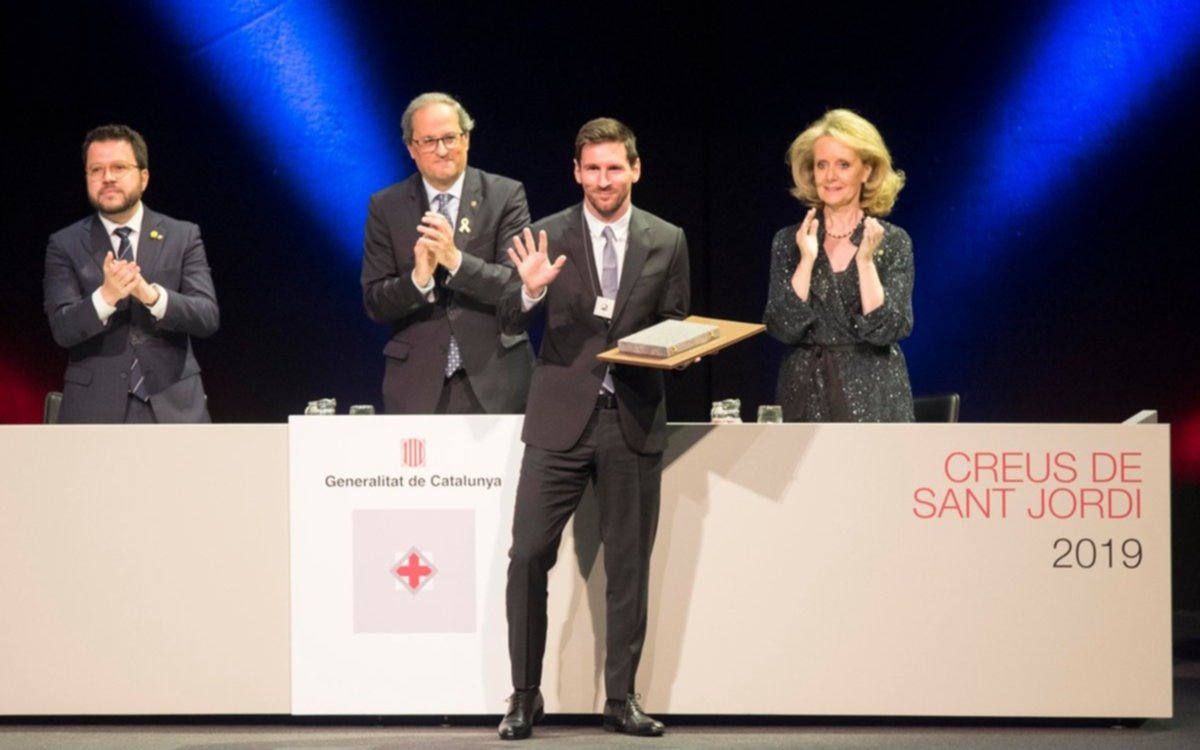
(843, 367)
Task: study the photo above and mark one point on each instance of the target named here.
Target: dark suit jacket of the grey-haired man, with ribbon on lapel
(497, 367)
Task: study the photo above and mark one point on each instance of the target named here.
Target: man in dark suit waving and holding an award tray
(599, 272)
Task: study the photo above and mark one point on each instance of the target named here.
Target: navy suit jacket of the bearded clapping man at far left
(97, 382)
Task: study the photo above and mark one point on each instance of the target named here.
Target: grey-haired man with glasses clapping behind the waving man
(434, 267)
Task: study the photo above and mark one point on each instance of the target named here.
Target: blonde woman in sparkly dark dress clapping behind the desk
(842, 280)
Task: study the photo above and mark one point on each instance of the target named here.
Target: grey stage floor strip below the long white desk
(1181, 733)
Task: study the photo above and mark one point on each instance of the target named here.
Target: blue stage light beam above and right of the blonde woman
(1077, 93)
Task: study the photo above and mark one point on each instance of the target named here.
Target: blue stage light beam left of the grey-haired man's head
(290, 71)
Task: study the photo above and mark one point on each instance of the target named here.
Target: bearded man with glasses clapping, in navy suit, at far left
(127, 289)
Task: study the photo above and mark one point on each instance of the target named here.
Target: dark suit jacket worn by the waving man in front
(655, 286)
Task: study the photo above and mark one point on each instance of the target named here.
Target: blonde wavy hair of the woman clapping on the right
(856, 133)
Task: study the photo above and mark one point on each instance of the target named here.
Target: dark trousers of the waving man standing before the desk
(628, 488)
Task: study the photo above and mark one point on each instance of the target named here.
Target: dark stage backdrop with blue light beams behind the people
(1051, 151)
